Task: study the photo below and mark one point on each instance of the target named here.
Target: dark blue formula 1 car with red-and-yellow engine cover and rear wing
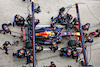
(46, 35)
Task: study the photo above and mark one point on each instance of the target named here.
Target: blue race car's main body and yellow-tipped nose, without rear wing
(48, 35)
